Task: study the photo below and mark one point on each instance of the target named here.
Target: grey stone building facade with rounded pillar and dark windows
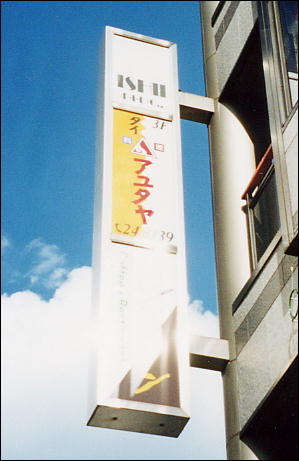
(251, 71)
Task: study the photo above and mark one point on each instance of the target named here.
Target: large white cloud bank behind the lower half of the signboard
(45, 357)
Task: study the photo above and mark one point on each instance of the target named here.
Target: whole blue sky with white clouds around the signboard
(49, 86)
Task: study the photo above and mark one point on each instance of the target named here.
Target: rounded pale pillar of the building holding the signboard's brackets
(232, 164)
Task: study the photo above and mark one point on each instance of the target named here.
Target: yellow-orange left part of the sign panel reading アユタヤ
(131, 183)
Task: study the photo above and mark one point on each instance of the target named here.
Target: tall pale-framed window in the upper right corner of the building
(279, 37)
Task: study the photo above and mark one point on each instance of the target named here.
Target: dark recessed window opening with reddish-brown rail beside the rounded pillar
(245, 95)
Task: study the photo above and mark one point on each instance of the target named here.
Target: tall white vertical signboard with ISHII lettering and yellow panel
(140, 362)
